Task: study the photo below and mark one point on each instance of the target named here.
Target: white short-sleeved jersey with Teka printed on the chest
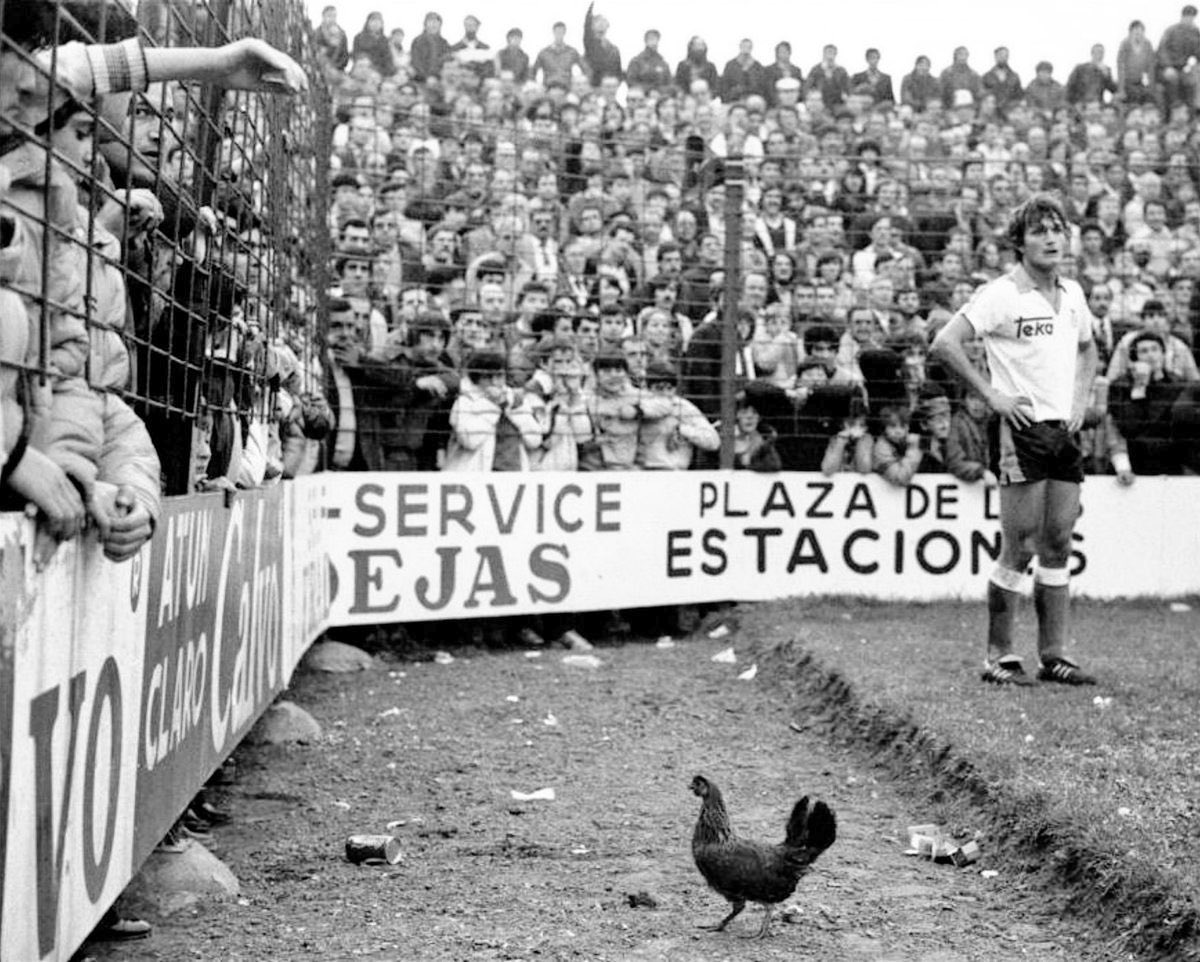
(1033, 350)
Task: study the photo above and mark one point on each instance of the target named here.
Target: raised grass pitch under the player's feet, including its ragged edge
(1096, 786)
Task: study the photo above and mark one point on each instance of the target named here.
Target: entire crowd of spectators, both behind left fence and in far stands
(526, 260)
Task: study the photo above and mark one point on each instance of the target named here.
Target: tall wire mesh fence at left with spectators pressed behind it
(165, 239)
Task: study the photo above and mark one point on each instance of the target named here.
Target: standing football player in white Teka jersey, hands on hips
(1037, 332)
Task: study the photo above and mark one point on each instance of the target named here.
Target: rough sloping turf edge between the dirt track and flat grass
(1132, 900)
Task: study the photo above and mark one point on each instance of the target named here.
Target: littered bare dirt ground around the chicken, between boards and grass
(441, 748)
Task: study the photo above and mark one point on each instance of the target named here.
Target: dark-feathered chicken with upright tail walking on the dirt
(746, 871)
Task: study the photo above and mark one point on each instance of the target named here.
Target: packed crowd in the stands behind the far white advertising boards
(531, 249)
